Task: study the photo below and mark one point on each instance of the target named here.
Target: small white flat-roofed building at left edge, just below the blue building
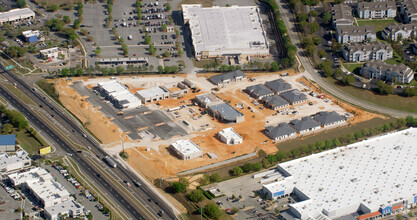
(14, 162)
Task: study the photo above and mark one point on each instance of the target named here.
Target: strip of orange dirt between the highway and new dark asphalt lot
(102, 127)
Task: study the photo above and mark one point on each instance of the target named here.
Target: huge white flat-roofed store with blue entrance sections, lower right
(375, 175)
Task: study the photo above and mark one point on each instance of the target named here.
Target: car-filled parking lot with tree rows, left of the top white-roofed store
(125, 20)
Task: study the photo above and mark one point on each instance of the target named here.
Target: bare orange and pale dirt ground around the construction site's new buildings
(153, 159)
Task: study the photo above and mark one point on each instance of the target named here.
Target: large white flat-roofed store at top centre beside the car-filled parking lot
(226, 31)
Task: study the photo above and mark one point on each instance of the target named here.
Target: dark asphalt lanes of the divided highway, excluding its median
(124, 201)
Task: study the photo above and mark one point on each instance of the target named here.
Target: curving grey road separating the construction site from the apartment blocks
(313, 74)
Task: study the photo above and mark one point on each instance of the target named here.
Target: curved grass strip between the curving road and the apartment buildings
(391, 101)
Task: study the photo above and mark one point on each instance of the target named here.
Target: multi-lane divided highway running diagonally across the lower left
(140, 199)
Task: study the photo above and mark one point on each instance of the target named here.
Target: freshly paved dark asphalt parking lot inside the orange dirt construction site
(139, 123)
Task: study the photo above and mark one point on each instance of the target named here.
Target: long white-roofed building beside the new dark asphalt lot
(119, 95)
